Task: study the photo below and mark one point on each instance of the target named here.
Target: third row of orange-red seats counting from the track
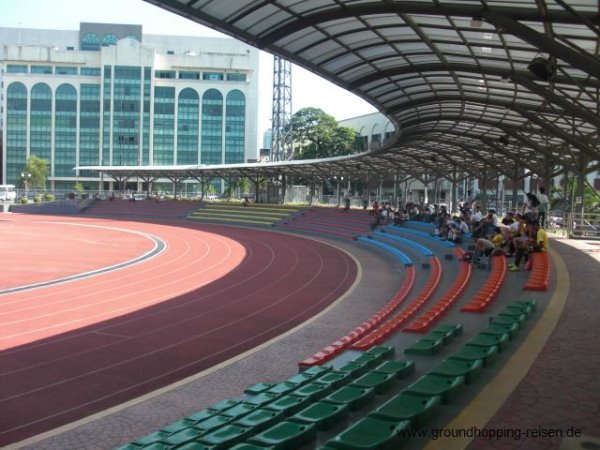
(444, 303)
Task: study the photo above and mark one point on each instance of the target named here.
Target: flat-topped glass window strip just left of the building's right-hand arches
(164, 124)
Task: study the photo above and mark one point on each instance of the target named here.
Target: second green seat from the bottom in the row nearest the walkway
(420, 410)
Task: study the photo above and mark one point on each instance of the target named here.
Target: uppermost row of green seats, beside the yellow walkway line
(389, 426)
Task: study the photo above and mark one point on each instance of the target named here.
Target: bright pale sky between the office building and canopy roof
(308, 90)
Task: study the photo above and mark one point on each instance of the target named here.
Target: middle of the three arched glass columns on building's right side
(212, 127)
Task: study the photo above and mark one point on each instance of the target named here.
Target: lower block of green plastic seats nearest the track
(286, 414)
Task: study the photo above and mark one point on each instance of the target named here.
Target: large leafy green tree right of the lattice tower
(317, 134)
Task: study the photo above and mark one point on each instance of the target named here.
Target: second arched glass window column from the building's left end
(40, 121)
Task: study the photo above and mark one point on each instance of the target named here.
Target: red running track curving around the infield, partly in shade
(76, 348)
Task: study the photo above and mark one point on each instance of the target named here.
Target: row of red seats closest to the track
(332, 350)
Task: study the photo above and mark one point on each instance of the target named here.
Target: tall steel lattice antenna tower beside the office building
(281, 145)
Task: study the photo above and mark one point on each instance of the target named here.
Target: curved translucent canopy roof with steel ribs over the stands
(453, 76)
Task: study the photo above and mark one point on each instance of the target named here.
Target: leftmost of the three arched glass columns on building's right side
(188, 107)
